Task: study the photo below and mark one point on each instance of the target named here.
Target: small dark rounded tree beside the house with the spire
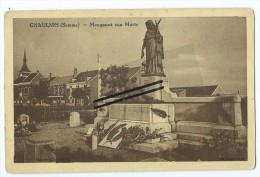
(41, 90)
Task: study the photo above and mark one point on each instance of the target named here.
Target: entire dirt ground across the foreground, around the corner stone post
(71, 147)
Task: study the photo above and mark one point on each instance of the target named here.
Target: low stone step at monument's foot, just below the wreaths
(155, 148)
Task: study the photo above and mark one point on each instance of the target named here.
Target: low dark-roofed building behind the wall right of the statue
(198, 91)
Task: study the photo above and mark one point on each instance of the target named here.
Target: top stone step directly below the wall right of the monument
(205, 128)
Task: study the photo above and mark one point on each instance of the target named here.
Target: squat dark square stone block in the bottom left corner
(40, 150)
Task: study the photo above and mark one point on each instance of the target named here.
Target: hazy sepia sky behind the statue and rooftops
(198, 51)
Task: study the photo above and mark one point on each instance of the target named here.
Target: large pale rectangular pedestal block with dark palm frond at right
(153, 116)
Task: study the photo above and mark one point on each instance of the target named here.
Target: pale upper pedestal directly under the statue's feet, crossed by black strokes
(164, 94)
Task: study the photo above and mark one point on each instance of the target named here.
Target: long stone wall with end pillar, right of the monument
(224, 110)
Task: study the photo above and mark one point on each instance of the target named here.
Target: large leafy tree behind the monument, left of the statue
(114, 79)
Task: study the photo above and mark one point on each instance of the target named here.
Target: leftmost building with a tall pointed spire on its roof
(24, 84)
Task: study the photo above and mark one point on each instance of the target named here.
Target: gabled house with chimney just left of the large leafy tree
(82, 89)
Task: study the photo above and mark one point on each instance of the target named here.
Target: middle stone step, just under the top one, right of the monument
(194, 137)
